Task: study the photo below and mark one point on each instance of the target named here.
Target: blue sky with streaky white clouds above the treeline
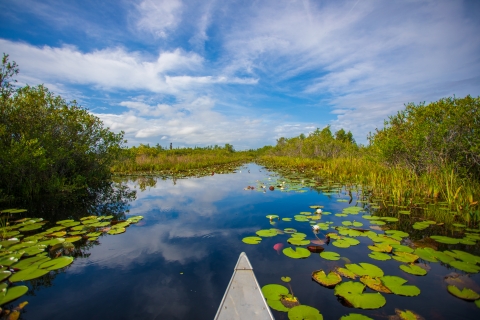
(244, 72)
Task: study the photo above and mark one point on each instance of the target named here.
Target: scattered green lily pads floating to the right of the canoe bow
(389, 244)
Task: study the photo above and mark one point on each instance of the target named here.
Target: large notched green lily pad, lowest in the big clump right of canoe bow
(352, 292)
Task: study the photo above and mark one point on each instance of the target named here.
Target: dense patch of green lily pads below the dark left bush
(29, 250)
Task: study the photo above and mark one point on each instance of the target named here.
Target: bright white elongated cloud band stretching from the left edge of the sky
(114, 68)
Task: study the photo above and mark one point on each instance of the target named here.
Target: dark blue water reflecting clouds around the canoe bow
(177, 262)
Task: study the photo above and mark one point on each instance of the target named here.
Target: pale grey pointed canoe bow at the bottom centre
(243, 298)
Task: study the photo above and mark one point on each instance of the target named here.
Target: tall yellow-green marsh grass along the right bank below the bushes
(441, 195)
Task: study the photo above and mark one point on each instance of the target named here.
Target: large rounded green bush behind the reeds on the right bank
(429, 137)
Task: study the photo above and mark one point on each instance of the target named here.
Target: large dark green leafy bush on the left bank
(49, 145)
